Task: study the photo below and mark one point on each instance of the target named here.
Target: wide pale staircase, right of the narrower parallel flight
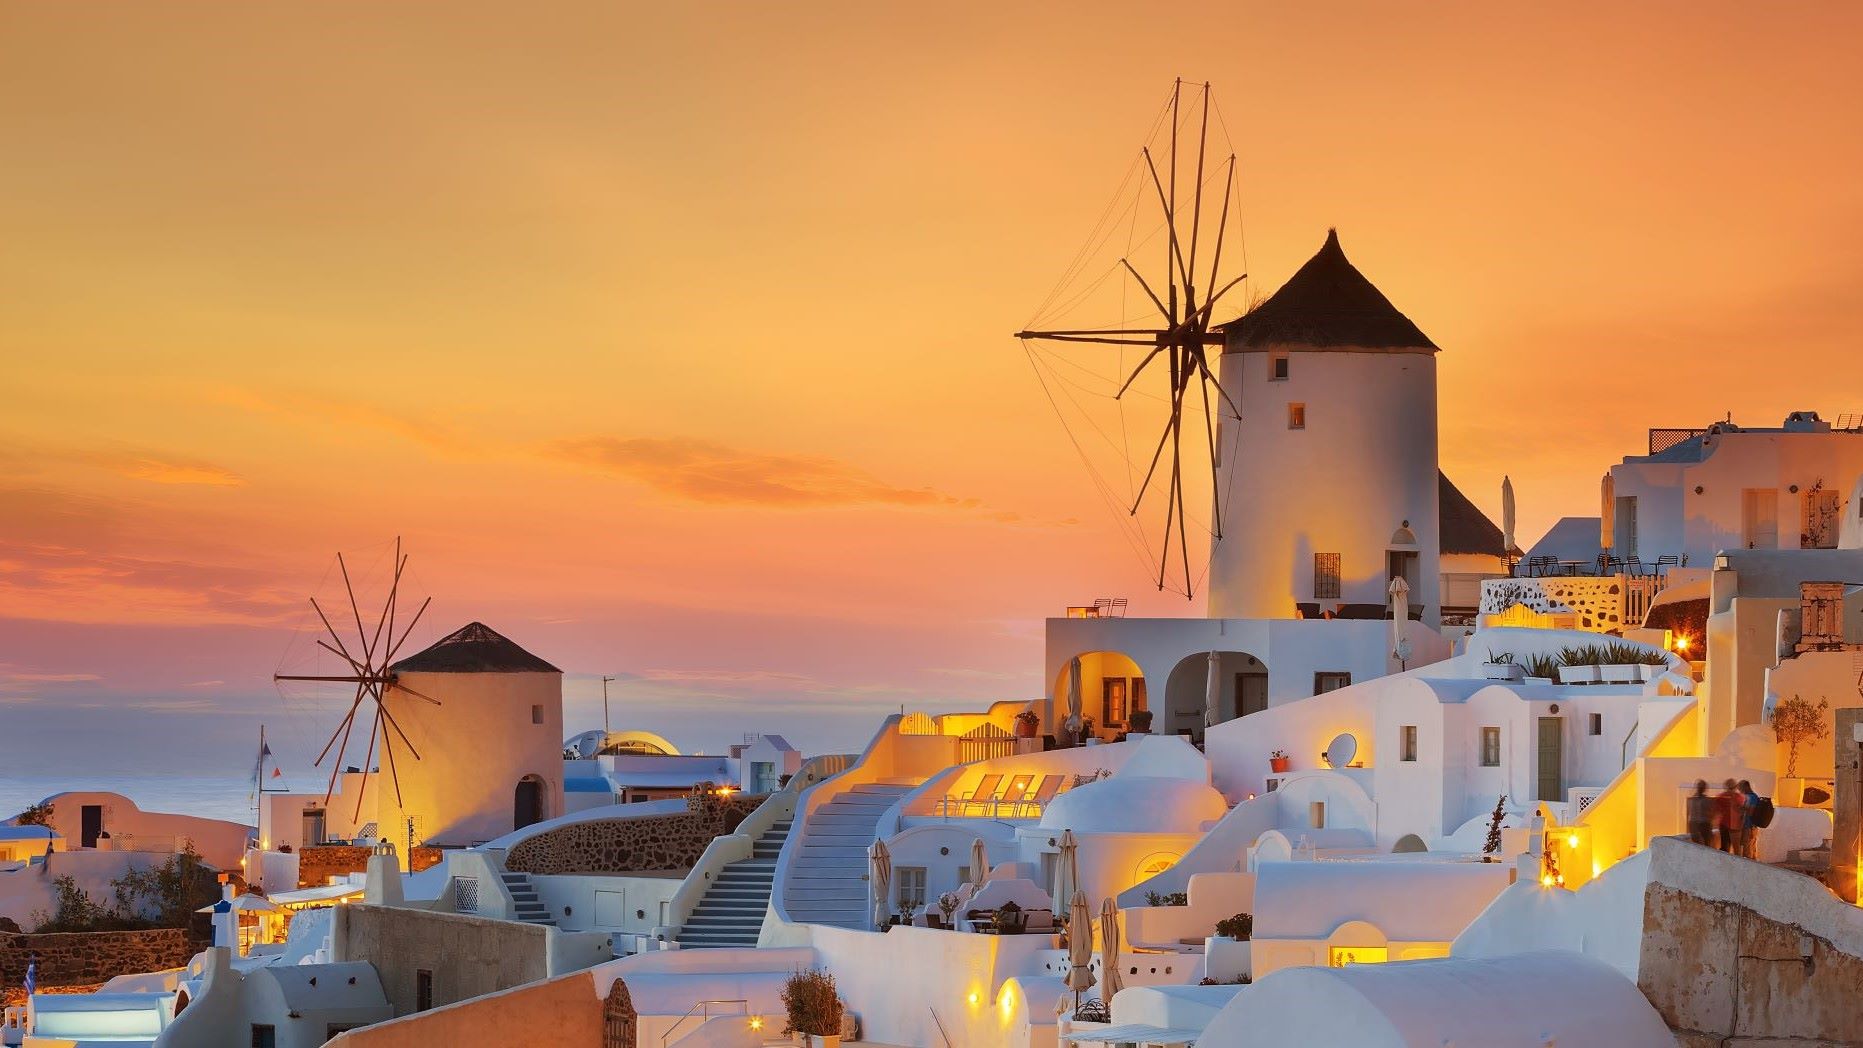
(828, 876)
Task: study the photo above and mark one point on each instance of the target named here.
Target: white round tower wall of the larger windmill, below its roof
(1365, 464)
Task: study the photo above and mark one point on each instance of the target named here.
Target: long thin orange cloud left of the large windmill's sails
(707, 472)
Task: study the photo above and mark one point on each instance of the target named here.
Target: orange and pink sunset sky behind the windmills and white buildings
(673, 338)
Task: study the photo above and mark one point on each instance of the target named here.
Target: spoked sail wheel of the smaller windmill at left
(370, 671)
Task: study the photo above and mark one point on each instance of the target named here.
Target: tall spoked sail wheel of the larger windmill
(1184, 332)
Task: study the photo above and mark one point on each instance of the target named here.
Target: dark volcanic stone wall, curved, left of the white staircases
(631, 846)
